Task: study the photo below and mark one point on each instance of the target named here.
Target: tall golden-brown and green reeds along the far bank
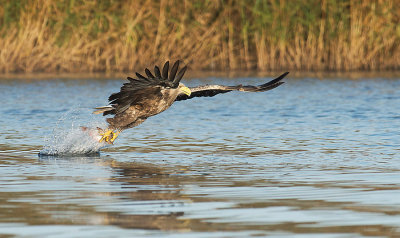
(116, 35)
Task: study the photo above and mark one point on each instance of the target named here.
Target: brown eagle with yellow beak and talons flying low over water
(146, 96)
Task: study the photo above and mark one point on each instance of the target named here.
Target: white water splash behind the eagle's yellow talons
(68, 138)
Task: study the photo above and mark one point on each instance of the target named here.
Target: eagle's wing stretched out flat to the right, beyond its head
(212, 90)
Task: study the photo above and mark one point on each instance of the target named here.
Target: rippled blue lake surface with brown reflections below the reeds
(312, 158)
